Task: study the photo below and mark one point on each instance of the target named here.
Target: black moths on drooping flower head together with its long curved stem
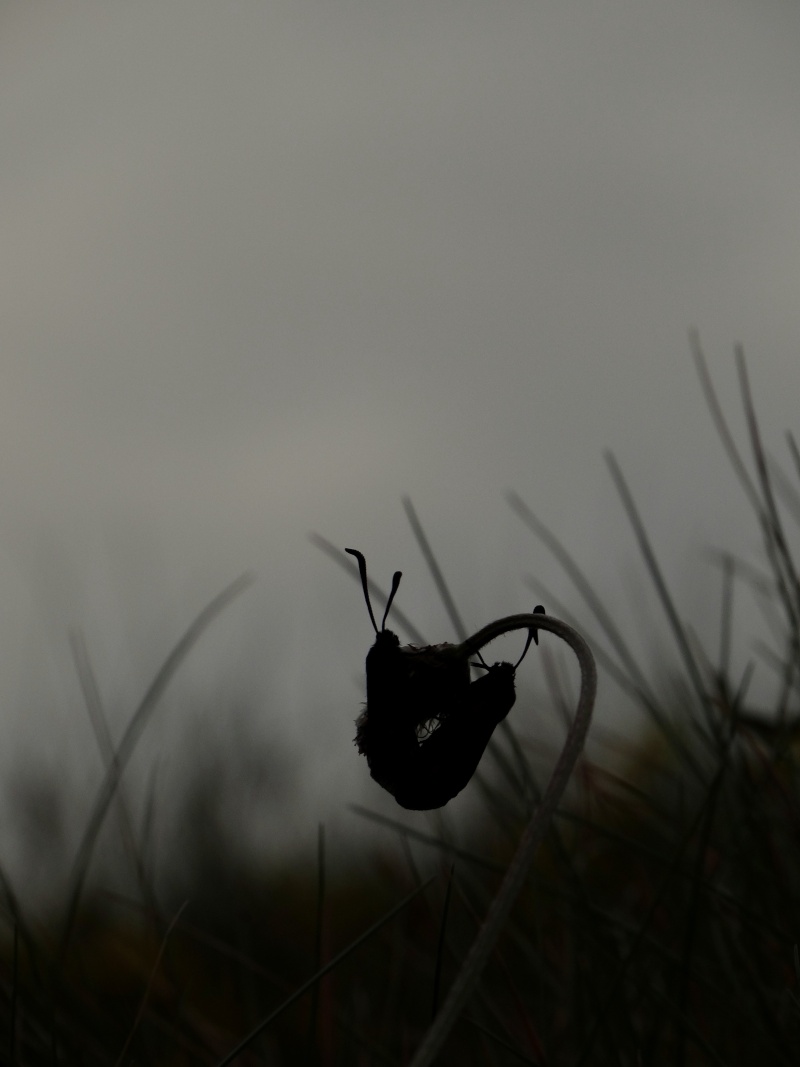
(408, 689)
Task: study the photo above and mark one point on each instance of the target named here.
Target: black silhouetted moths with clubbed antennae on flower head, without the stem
(426, 725)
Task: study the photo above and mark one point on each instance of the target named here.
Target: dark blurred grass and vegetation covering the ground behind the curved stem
(660, 926)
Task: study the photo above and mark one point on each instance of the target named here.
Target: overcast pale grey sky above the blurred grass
(268, 266)
